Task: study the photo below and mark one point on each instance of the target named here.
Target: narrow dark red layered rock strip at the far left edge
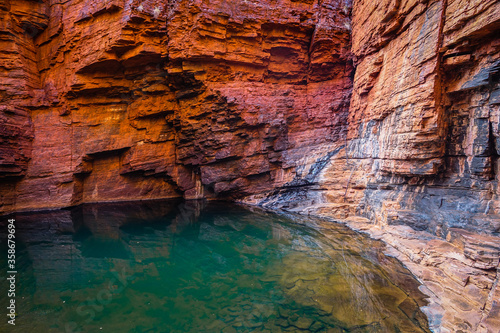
(19, 78)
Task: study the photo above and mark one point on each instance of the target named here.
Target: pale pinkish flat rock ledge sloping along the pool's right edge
(462, 289)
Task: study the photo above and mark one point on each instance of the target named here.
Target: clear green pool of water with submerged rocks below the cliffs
(168, 266)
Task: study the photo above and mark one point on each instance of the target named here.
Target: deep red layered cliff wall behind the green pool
(152, 99)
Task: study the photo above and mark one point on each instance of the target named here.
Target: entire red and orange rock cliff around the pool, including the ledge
(388, 110)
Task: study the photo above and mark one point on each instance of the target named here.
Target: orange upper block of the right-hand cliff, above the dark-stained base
(401, 90)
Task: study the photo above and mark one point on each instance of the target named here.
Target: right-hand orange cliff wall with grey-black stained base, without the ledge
(423, 113)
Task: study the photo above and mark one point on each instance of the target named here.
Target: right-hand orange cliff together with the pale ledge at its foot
(422, 150)
